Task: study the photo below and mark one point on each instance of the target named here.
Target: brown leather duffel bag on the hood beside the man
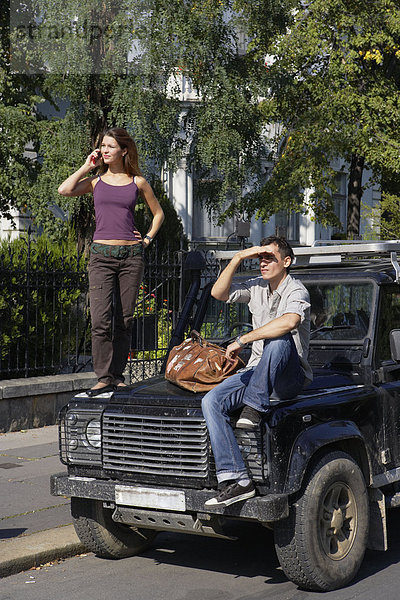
(198, 365)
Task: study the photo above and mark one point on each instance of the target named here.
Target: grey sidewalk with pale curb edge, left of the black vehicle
(35, 527)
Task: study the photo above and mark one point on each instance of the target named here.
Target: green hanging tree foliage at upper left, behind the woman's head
(78, 53)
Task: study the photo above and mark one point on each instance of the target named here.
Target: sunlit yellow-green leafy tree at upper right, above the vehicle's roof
(334, 83)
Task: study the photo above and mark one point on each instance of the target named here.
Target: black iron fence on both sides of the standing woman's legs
(45, 319)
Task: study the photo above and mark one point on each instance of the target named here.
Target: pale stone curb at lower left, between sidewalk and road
(33, 550)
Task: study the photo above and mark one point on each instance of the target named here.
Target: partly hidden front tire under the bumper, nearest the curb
(103, 536)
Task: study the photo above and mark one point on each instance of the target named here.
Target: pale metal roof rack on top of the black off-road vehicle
(330, 252)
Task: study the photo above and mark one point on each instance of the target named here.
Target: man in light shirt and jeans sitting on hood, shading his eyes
(280, 308)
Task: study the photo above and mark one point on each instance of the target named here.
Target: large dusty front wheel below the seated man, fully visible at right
(321, 545)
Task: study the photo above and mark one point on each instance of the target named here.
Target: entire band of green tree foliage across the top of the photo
(317, 80)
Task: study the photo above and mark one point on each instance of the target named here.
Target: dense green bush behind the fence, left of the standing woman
(42, 305)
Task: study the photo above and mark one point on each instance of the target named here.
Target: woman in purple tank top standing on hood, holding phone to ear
(116, 257)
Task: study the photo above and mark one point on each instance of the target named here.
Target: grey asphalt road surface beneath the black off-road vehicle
(183, 567)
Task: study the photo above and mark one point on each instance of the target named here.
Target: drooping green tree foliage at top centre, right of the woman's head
(223, 127)
